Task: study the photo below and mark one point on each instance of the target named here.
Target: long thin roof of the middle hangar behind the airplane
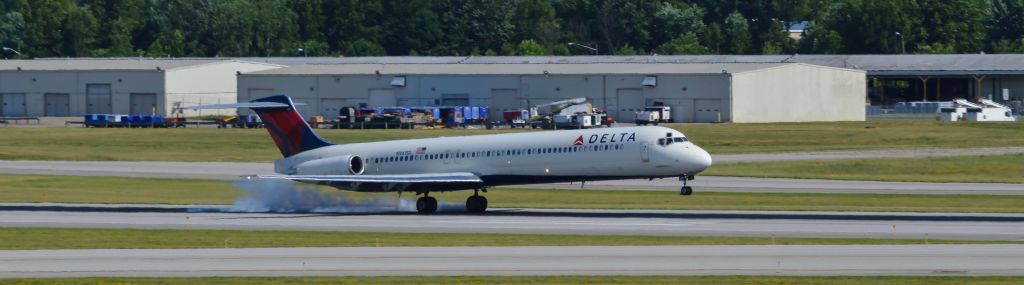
(519, 69)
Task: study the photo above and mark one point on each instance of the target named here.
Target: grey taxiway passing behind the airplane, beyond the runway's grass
(232, 171)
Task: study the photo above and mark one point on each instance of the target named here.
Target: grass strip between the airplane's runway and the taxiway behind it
(16, 188)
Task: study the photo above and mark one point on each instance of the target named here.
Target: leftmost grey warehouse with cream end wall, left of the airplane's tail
(80, 87)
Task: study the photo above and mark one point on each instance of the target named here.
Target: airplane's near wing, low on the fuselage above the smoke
(391, 183)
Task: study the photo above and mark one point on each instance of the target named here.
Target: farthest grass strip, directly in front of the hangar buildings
(255, 145)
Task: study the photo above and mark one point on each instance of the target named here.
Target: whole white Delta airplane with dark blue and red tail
(475, 162)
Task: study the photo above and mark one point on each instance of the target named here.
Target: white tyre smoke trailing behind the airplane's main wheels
(286, 196)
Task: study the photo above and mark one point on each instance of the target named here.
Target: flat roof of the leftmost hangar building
(106, 64)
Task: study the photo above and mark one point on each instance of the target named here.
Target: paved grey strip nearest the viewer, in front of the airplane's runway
(771, 261)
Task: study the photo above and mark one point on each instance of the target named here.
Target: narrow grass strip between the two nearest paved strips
(35, 238)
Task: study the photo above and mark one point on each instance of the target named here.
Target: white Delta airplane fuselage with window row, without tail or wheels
(523, 157)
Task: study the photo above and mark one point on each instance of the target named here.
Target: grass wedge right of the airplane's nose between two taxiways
(1006, 169)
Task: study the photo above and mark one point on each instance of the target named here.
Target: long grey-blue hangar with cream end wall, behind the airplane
(698, 93)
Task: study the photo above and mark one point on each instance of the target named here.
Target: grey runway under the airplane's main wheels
(650, 223)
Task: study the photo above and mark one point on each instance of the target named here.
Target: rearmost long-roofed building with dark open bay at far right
(891, 78)
